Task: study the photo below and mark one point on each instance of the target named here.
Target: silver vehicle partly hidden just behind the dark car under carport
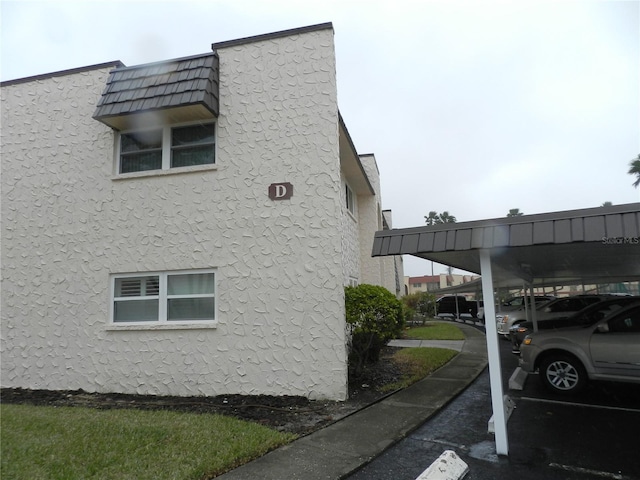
(560, 307)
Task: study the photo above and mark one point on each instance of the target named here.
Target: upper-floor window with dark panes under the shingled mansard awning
(167, 147)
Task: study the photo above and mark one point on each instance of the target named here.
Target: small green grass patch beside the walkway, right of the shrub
(418, 363)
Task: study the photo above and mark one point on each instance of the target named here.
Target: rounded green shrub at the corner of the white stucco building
(374, 316)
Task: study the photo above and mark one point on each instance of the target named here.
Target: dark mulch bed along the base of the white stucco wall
(293, 414)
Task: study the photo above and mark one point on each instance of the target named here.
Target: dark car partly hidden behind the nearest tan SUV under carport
(586, 316)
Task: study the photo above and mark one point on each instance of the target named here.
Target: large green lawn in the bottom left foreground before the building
(74, 442)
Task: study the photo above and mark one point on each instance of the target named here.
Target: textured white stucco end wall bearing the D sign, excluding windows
(67, 224)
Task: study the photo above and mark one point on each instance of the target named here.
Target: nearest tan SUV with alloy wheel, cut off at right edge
(567, 359)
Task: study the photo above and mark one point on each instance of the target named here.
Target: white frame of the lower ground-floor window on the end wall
(162, 322)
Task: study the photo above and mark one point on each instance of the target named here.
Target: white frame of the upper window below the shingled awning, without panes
(166, 149)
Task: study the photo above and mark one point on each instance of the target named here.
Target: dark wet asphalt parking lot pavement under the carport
(586, 438)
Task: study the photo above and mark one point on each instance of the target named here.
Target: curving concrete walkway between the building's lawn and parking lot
(342, 447)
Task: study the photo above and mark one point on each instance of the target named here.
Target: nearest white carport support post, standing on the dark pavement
(493, 352)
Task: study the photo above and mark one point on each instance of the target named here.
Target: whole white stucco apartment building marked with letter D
(186, 227)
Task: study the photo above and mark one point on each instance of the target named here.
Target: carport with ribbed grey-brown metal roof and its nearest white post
(595, 245)
